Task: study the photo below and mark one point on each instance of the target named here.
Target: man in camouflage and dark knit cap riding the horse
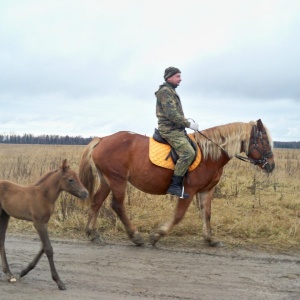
(171, 126)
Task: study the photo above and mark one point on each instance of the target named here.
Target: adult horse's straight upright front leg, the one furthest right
(205, 202)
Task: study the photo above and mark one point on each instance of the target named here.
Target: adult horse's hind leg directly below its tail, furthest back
(98, 200)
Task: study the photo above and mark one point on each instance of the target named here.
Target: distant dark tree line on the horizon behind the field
(79, 140)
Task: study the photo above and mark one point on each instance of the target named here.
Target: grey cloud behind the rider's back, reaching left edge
(59, 75)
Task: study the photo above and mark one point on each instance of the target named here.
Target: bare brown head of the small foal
(71, 183)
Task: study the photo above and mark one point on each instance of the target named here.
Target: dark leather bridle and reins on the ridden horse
(256, 136)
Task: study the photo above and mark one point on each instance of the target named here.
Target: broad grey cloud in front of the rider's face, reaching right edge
(260, 72)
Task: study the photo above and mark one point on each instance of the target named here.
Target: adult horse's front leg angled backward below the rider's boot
(165, 228)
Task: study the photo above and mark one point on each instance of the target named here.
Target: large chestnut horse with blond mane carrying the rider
(124, 157)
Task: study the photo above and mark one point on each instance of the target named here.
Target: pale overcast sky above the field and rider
(91, 68)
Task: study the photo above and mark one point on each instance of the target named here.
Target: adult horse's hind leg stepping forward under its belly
(118, 190)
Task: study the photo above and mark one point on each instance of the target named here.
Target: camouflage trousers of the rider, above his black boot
(177, 139)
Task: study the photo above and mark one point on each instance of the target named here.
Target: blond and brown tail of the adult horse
(87, 168)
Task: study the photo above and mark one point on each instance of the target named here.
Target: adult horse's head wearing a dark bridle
(260, 148)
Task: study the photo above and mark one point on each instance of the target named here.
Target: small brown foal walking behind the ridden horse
(35, 203)
